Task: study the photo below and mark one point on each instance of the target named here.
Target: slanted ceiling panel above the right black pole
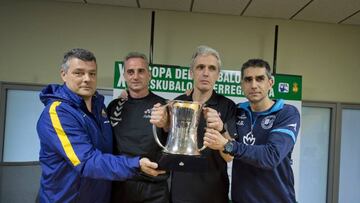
(274, 8)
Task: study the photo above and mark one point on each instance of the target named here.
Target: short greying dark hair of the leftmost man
(79, 53)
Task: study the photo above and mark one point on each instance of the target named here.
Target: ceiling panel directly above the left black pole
(175, 5)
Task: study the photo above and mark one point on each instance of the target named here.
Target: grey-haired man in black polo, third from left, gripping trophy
(210, 185)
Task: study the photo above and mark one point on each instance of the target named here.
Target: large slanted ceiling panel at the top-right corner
(330, 11)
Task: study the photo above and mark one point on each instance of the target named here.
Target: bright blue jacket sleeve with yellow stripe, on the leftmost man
(64, 136)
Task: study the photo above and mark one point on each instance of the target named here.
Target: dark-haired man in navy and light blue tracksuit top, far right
(267, 131)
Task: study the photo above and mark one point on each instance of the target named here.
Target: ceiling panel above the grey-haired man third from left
(233, 7)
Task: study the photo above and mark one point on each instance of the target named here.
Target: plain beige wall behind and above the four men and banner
(35, 34)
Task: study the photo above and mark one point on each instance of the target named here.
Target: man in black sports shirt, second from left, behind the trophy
(133, 133)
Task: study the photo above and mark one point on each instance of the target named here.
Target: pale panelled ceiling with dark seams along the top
(328, 11)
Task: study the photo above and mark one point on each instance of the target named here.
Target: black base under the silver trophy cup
(186, 163)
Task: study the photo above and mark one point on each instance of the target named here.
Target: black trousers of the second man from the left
(135, 191)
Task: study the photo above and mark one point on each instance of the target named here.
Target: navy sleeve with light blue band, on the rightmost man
(280, 143)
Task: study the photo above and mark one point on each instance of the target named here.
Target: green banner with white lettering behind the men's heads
(176, 79)
